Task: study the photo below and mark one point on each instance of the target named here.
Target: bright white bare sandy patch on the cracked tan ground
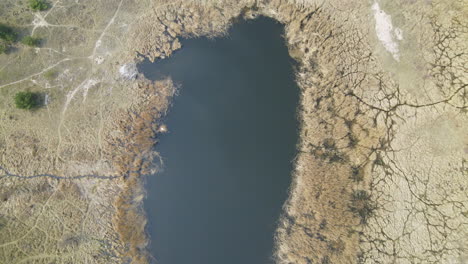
(387, 35)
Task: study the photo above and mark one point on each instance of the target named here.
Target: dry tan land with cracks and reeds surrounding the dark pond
(381, 175)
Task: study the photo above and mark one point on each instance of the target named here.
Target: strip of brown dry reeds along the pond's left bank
(133, 152)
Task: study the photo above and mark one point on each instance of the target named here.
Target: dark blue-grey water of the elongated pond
(227, 158)
